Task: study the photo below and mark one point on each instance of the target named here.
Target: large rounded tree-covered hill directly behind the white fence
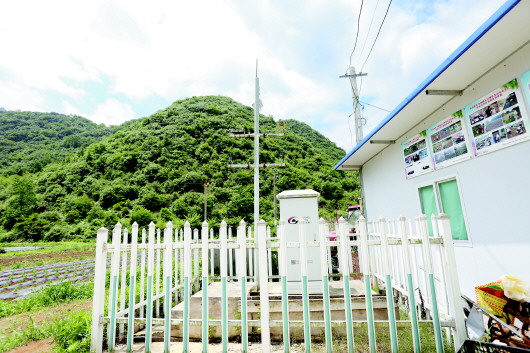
(154, 169)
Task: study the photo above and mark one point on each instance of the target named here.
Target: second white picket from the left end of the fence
(113, 295)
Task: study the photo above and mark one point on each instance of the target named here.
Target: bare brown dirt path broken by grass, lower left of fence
(18, 322)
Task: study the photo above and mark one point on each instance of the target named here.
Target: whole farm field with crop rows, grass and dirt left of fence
(43, 292)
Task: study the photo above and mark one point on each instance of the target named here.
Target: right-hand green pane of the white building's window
(451, 205)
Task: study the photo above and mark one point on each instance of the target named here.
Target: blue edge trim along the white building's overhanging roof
(483, 29)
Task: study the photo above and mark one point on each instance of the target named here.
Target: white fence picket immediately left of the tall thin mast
(242, 270)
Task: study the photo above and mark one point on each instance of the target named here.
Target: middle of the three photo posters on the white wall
(449, 141)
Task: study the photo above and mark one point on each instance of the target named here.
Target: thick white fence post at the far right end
(453, 282)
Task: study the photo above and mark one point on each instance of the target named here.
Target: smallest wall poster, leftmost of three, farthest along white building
(416, 155)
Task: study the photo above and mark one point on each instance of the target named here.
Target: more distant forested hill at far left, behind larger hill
(29, 140)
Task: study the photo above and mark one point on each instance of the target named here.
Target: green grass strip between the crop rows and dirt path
(63, 292)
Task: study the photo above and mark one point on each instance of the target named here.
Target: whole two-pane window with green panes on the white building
(444, 197)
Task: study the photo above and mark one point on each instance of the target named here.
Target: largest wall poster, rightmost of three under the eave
(497, 120)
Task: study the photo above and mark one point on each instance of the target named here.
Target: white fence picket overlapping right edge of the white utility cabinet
(324, 263)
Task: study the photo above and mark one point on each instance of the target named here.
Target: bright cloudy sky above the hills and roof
(113, 61)
